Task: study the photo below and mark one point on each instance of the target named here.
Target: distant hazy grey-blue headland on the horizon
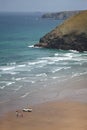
(60, 15)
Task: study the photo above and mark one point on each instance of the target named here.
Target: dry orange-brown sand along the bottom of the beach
(49, 116)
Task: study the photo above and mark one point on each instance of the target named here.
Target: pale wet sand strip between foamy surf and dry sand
(71, 90)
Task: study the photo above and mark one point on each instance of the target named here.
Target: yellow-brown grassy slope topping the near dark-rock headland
(76, 24)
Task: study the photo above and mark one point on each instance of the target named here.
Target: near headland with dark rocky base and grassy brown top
(72, 34)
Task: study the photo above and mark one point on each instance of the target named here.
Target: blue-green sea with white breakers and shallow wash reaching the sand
(31, 75)
